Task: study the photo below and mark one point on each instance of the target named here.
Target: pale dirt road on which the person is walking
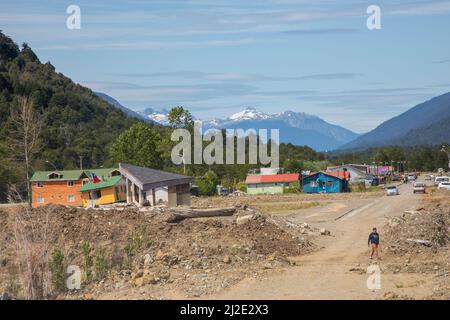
(325, 274)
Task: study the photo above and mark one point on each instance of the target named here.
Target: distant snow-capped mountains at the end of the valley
(295, 127)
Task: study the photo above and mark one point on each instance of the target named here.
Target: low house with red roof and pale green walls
(270, 183)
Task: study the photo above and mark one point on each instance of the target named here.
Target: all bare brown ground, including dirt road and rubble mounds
(275, 247)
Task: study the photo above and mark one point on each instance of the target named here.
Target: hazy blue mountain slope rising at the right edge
(426, 123)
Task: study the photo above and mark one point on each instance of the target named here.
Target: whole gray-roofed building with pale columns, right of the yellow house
(145, 185)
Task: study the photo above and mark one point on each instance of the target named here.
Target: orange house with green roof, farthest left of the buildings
(62, 186)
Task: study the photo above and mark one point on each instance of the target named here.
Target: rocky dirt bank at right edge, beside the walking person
(419, 242)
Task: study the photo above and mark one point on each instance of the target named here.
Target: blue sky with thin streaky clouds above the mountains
(218, 57)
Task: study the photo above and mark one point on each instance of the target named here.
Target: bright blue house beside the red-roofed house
(325, 182)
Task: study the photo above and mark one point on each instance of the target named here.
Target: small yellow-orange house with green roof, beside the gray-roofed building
(110, 189)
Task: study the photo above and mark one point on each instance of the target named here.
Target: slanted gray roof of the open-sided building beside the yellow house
(147, 178)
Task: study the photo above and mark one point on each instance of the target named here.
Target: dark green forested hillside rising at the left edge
(75, 122)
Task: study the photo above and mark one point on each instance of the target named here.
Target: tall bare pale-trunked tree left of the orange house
(24, 140)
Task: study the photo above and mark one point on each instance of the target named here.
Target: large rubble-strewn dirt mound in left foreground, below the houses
(146, 257)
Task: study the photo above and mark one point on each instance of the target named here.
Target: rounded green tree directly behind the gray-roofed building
(139, 145)
